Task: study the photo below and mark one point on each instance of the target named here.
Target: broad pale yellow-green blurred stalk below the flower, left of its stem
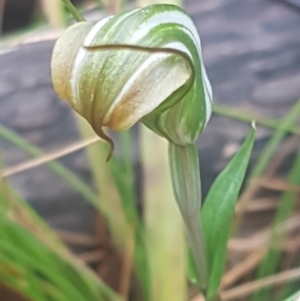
(164, 231)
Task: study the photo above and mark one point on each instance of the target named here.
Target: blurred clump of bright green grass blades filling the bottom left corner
(41, 270)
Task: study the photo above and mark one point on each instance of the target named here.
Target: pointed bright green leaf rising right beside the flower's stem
(217, 212)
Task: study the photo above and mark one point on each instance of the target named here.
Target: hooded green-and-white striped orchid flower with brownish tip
(144, 64)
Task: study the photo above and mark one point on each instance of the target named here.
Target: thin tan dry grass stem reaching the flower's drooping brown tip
(49, 157)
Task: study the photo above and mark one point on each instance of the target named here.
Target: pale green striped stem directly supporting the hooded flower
(185, 175)
